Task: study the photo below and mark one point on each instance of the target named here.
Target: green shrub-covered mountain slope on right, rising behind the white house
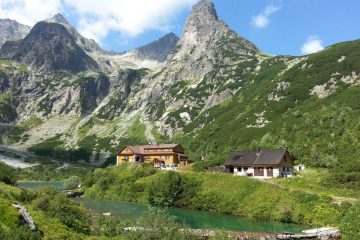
(306, 124)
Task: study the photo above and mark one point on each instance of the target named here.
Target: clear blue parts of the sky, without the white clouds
(289, 28)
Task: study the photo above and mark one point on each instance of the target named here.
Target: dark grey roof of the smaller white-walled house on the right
(264, 157)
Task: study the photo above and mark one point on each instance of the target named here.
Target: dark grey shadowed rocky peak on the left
(50, 47)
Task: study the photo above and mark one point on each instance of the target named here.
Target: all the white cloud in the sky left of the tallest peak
(96, 19)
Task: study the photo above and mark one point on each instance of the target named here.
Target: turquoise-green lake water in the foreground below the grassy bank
(193, 218)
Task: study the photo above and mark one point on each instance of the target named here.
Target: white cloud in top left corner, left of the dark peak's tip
(29, 11)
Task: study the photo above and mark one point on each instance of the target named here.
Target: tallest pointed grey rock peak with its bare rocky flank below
(206, 44)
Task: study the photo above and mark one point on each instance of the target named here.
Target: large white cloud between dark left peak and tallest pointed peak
(128, 17)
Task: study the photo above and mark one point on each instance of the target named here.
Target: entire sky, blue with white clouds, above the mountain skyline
(293, 27)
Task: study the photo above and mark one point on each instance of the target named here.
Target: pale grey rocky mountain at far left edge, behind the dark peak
(11, 30)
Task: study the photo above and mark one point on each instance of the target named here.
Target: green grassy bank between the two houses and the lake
(218, 193)
